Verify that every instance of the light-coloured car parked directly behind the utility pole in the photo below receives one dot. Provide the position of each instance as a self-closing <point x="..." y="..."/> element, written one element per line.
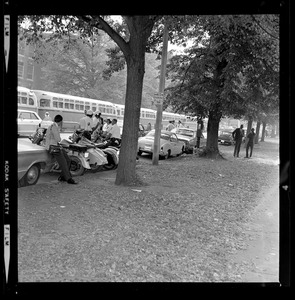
<point x="169" y="144"/>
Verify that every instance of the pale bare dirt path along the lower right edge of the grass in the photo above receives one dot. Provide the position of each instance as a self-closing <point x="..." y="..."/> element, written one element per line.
<point x="260" y="261"/>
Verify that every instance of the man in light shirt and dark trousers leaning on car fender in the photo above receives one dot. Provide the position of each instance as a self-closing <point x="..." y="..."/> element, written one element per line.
<point x="53" y="138"/>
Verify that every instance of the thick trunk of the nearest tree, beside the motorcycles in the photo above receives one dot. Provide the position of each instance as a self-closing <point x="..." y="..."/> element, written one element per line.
<point x="126" y="174"/>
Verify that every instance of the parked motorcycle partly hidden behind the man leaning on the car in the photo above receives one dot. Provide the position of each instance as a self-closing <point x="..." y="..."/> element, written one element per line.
<point x="75" y="152"/>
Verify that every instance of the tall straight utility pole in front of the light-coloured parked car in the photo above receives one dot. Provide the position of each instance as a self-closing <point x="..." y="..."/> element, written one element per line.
<point x="159" y="104"/>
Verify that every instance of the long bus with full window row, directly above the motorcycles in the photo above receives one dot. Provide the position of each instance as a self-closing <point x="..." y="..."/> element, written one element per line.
<point x="71" y="107"/>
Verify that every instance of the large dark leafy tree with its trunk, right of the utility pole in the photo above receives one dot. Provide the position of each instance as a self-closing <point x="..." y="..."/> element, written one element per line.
<point x="219" y="74"/>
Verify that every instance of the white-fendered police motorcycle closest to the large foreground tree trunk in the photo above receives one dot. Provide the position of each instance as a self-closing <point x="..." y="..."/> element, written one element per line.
<point x="96" y="150"/>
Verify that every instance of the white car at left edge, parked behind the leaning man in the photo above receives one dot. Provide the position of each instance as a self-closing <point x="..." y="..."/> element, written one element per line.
<point x="27" y="122"/>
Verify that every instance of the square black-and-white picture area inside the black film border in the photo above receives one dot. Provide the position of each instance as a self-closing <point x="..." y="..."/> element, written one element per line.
<point x="148" y="149"/>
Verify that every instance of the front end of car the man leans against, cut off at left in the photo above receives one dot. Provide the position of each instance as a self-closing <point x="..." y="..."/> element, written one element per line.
<point x="31" y="159"/>
